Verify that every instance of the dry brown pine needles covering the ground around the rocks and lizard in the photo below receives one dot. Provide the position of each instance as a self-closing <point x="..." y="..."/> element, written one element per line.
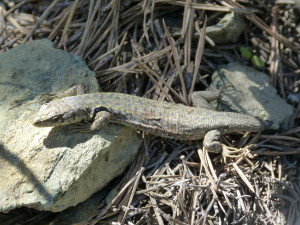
<point x="130" y="47"/>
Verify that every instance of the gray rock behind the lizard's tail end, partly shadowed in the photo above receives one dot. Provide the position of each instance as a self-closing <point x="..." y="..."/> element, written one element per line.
<point x="247" y="90"/>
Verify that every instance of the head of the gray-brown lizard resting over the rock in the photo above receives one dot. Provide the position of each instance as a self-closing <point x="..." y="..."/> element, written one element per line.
<point x="56" y="113"/>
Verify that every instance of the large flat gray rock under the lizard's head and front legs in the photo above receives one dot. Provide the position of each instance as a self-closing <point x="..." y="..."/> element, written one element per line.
<point x="52" y="168"/>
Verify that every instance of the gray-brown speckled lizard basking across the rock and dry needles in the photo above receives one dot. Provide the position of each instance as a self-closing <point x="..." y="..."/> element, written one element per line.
<point x="163" y="119"/>
